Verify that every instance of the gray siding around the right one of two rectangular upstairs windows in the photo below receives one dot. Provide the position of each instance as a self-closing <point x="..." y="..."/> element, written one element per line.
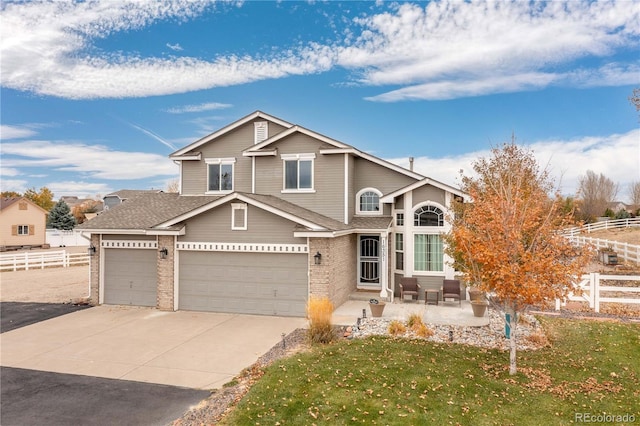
<point x="328" y="177"/>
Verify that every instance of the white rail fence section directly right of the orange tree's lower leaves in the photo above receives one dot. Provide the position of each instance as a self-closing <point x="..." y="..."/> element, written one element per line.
<point x="592" y="290"/>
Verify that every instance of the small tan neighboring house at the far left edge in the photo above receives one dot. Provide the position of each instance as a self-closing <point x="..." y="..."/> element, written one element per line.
<point x="23" y="223"/>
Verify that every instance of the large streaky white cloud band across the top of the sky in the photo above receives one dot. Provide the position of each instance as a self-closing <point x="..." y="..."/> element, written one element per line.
<point x="443" y="50"/>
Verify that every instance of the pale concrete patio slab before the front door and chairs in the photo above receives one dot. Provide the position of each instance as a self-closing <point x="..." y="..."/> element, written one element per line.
<point x="448" y="313"/>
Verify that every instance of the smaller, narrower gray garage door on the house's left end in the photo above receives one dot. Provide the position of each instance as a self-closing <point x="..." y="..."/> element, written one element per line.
<point x="130" y="277"/>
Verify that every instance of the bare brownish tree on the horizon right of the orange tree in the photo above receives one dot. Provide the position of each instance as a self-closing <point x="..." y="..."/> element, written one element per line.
<point x="596" y="192"/>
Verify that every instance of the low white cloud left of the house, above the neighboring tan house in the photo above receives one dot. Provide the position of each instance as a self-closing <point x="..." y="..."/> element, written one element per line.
<point x="91" y="161"/>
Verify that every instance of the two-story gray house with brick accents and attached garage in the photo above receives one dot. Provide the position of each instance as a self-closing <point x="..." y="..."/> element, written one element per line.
<point x="270" y="214"/>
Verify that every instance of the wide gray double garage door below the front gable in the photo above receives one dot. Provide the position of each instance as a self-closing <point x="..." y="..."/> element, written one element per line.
<point x="247" y="283"/>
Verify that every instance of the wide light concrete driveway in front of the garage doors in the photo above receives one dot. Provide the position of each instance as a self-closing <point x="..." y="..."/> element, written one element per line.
<point x="188" y="349"/>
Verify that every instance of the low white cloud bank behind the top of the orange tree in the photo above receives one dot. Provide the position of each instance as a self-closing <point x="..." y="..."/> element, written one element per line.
<point x="616" y="156"/>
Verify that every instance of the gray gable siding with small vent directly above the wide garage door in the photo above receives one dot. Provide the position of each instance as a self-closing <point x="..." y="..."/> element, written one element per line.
<point x="262" y="227"/>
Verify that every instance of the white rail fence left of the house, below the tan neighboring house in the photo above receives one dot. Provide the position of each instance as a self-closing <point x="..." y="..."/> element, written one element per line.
<point x="41" y="260"/>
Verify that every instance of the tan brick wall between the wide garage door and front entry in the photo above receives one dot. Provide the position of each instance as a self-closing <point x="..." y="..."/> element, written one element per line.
<point x="335" y="278"/>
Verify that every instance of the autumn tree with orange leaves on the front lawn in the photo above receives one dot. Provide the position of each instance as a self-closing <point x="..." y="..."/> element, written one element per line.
<point x="505" y="240"/>
